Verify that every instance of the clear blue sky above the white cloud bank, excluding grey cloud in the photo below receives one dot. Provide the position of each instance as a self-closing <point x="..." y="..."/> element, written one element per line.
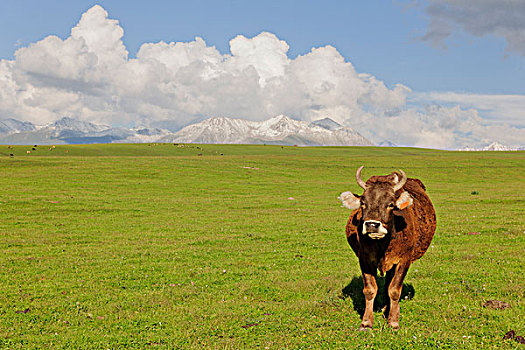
<point x="380" y="38"/>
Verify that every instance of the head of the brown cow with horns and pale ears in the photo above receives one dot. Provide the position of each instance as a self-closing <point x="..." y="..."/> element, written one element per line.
<point x="378" y="202"/>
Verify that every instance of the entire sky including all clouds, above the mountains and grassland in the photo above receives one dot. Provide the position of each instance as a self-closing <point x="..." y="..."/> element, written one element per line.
<point x="438" y="74"/>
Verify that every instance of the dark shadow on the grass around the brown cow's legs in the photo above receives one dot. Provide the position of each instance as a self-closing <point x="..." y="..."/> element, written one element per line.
<point x="354" y="290"/>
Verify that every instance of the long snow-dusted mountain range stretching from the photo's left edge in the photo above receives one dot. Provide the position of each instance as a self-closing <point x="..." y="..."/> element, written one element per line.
<point x="280" y="130"/>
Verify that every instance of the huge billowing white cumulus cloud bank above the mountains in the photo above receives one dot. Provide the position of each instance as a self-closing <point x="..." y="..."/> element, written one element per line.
<point x="90" y="76"/>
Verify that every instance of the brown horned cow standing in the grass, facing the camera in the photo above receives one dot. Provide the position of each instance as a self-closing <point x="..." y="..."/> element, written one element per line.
<point x="391" y="225"/>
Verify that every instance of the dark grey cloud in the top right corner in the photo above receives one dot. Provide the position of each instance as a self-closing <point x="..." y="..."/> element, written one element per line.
<point x="501" y="18"/>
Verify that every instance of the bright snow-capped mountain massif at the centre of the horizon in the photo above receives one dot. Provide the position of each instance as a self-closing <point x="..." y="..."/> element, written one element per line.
<point x="281" y="130"/>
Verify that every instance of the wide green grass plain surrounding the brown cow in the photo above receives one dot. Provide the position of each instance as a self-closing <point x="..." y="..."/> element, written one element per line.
<point x="153" y="246"/>
